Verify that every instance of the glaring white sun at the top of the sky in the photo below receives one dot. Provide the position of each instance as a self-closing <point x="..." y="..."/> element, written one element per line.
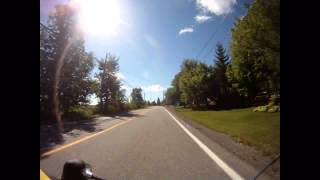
<point x="98" y="17"/>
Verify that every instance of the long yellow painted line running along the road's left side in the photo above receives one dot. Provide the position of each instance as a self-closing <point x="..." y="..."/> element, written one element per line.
<point x="83" y="139"/>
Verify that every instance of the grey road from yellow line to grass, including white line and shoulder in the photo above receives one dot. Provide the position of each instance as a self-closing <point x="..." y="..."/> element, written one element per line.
<point x="150" y="145"/>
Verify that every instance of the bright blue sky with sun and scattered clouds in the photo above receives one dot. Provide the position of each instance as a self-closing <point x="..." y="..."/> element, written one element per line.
<point x="152" y="38"/>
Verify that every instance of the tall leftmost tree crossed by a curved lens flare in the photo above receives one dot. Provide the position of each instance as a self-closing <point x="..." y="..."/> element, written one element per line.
<point x="64" y="64"/>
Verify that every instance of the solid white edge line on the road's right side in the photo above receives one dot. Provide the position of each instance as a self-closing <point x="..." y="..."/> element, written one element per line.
<point x="227" y="169"/>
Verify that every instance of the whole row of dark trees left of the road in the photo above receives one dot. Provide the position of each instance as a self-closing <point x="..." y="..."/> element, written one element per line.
<point x="66" y="71"/>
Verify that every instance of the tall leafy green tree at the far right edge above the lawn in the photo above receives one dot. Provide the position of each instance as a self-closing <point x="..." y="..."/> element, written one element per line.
<point x="255" y="49"/>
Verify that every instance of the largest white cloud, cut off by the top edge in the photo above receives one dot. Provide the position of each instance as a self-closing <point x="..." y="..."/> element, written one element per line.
<point x="217" y="7"/>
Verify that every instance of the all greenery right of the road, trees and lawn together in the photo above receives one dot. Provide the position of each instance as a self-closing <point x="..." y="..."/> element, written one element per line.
<point x="239" y="93"/>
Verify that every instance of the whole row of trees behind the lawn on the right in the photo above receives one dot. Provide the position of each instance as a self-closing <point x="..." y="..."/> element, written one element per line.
<point x="250" y="76"/>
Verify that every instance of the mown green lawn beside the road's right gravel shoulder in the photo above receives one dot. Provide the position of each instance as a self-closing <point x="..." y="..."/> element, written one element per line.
<point x="258" y="129"/>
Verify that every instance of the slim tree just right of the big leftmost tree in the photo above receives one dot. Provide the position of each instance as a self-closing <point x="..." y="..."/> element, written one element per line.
<point x="109" y="91"/>
